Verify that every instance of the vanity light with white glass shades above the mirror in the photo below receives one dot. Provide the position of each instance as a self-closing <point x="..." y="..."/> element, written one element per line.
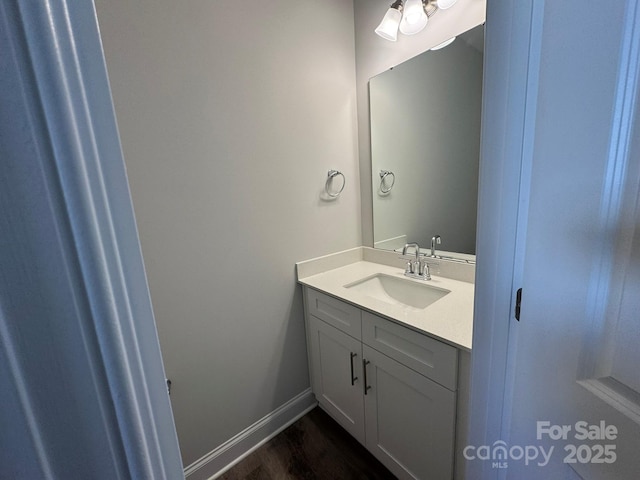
<point x="410" y="16"/>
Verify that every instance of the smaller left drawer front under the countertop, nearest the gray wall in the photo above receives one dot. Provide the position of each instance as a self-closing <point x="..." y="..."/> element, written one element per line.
<point x="341" y="315"/>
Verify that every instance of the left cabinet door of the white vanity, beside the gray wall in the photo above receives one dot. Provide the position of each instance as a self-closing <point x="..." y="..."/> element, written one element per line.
<point x="336" y="375"/>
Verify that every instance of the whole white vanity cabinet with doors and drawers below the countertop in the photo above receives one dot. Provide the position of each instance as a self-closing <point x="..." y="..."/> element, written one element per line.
<point x="392" y="388"/>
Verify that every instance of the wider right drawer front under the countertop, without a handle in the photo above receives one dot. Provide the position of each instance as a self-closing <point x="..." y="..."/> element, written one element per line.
<point x="425" y="355"/>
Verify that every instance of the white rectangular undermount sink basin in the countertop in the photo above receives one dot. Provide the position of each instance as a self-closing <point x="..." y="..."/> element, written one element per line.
<point x="398" y="290"/>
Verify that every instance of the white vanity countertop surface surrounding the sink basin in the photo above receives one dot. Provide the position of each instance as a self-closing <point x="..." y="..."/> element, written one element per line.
<point x="449" y="319"/>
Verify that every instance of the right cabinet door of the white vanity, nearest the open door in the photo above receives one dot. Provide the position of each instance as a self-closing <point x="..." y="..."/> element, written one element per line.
<point x="409" y="419"/>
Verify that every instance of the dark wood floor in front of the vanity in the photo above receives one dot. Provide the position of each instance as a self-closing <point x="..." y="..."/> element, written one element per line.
<point x="313" y="448"/>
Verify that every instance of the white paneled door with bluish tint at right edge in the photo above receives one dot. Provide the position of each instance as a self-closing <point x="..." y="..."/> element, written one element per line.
<point x="573" y="383"/>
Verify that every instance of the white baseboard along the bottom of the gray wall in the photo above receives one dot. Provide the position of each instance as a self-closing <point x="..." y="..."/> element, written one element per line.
<point x="219" y="460"/>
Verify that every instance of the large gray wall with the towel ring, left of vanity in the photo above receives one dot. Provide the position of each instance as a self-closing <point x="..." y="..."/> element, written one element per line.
<point x="230" y="115"/>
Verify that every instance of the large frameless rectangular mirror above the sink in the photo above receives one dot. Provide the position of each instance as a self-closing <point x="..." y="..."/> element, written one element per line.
<point x="425" y="128"/>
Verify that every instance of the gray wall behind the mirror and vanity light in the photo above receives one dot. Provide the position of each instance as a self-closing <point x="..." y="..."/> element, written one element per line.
<point x="375" y="55"/>
